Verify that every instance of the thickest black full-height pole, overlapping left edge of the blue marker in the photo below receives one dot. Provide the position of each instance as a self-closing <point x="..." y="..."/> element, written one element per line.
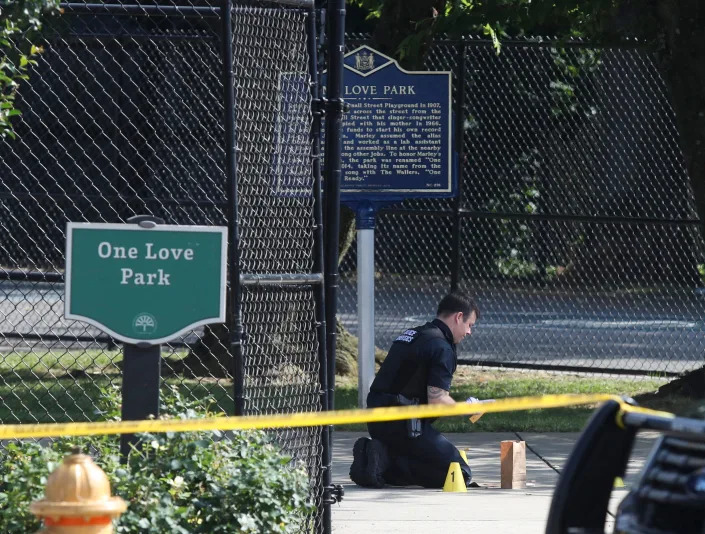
<point x="333" y="149"/>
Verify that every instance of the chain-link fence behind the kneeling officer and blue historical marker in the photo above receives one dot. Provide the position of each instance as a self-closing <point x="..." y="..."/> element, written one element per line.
<point x="575" y="224"/>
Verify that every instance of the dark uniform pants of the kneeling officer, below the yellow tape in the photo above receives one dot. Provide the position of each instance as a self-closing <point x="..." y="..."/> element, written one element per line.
<point x="422" y="461"/>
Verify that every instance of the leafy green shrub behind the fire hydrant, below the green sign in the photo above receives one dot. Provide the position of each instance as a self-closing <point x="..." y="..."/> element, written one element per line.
<point x="175" y="483"/>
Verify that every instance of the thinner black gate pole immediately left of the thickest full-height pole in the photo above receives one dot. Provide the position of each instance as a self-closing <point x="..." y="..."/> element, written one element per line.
<point x="317" y="110"/>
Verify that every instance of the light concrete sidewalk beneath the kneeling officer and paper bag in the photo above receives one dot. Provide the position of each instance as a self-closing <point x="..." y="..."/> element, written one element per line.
<point x="486" y="509"/>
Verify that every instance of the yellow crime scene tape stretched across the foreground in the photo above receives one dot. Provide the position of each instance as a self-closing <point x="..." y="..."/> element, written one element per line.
<point x="310" y="419"/>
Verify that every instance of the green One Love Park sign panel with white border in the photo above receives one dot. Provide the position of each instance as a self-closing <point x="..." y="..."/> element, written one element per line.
<point x="145" y="285"/>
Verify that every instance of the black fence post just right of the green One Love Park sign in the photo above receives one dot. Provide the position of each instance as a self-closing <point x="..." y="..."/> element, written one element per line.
<point x="235" y="294"/>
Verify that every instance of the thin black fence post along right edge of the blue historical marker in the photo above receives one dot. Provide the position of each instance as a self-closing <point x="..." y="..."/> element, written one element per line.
<point x="460" y="150"/>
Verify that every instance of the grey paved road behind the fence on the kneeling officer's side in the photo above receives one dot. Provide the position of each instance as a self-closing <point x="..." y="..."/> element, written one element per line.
<point x="655" y="331"/>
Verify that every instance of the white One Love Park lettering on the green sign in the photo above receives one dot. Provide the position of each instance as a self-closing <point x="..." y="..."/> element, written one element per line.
<point x="159" y="277"/>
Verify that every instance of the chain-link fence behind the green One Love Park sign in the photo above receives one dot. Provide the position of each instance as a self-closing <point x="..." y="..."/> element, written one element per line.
<point x="126" y="114"/>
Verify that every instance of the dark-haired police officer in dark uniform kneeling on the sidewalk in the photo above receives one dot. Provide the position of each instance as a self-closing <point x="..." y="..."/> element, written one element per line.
<point x="418" y="370"/>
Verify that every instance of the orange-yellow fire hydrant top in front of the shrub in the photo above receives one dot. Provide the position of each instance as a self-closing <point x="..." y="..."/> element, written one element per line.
<point x="77" y="499"/>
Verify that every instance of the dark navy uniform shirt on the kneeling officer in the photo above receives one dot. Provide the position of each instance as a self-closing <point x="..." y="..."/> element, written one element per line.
<point x="419" y="357"/>
